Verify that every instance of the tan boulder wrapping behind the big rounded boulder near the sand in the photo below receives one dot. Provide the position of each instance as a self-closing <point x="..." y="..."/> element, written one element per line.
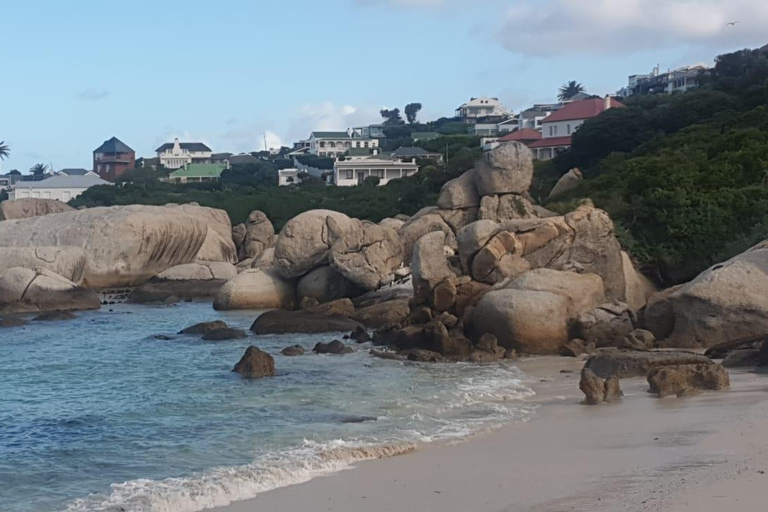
<point x="583" y="292"/>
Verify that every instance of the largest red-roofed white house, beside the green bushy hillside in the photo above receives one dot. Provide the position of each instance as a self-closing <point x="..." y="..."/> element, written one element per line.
<point x="558" y="128"/>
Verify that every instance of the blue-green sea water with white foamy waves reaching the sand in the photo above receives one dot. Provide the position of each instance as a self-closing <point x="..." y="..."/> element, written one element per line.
<point x="96" y="414"/>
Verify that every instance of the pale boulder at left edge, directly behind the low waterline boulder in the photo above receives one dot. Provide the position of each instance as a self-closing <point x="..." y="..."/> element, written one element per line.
<point x="68" y="262"/>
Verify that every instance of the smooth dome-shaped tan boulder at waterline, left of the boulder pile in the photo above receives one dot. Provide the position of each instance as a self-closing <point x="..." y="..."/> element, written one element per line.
<point x="256" y="289"/>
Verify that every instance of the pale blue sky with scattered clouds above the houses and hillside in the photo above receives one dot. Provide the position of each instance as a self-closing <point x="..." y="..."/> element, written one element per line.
<point x="73" y="74"/>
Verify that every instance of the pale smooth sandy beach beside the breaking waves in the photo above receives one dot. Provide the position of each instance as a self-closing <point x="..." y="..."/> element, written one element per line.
<point x="704" y="453"/>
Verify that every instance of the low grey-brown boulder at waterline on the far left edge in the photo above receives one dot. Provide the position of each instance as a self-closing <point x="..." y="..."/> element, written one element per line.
<point x="24" y="290"/>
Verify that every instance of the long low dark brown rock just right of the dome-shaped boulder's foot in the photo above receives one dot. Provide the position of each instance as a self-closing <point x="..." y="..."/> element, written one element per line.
<point x="283" y="322"/>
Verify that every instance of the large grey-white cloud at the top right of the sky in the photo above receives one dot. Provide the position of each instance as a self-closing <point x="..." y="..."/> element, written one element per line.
<point x="554" y="27"/>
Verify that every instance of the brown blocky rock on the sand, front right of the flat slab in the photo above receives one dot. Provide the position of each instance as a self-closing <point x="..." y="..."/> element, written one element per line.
<point x="687" y="379"/>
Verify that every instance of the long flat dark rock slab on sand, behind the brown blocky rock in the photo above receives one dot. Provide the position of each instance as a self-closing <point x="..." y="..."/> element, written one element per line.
<point x="623" y="363"/>
